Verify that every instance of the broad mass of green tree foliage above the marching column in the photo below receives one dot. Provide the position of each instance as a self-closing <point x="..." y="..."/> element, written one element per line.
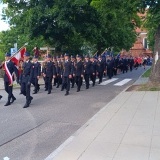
<point x="76" y="24"/>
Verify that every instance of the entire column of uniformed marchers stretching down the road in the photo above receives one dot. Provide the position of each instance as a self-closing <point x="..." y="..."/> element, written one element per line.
<point x="65" y="70"/>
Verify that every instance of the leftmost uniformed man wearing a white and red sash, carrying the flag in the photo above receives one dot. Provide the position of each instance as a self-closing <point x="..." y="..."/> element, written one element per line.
<point x="10" y="68"/>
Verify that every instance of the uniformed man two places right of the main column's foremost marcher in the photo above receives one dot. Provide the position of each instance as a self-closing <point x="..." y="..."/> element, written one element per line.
<point x="87" y="70"/>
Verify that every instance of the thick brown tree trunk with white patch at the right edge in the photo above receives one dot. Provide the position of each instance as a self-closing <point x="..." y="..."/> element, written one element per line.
<point x="155" y="72"/>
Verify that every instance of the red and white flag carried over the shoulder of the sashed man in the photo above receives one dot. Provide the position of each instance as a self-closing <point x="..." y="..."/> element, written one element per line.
<point x="18" y="56"/>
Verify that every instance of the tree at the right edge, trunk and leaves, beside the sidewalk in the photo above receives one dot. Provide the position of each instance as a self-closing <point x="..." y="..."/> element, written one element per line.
<point x="153" y="25"/>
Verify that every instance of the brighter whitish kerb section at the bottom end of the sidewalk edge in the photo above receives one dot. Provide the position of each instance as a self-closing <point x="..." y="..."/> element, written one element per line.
<point x="60" y="148"/>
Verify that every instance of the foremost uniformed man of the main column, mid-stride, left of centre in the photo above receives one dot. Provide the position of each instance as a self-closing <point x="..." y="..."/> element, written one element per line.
<point x="66" y="74"/>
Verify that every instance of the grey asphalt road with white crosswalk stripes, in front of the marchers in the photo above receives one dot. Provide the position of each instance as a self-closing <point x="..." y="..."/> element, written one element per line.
<point x="35" y="132"/>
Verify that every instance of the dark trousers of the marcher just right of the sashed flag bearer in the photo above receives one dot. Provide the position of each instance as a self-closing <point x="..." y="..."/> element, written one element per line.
<point x="26" y="89"/>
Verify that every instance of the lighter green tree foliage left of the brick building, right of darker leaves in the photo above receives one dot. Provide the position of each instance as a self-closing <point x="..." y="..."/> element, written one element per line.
<point x="119" y="19"/>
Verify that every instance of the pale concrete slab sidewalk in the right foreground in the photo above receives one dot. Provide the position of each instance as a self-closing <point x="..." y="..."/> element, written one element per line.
<point x="128" y="128"/>
